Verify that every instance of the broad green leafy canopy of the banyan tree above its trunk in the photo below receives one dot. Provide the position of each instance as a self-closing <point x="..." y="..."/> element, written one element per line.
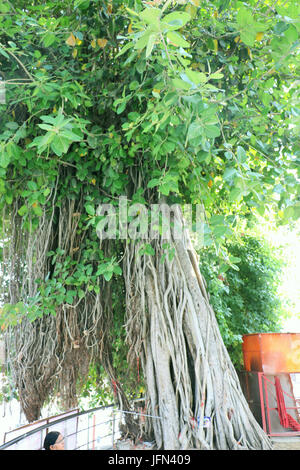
<point x="207" y="114"/>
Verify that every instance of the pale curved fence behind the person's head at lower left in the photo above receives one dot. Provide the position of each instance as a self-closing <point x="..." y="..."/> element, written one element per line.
<point x="94" y="429"/>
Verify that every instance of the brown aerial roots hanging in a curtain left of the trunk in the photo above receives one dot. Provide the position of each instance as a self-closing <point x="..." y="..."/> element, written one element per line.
<point x="52" y="352"/>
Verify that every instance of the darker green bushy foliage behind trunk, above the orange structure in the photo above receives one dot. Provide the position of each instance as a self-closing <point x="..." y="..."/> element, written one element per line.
<point x="246" y="300"/>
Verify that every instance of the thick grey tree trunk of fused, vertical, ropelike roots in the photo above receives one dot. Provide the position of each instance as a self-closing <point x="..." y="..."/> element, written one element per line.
<point x="193" y="388"/>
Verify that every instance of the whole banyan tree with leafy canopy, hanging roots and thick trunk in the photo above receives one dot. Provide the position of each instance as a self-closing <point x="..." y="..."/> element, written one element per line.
<point x="165" y="106"/>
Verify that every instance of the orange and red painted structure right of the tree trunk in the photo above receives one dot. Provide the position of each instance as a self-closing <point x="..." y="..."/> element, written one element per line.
<point x="269" y="361"/>
